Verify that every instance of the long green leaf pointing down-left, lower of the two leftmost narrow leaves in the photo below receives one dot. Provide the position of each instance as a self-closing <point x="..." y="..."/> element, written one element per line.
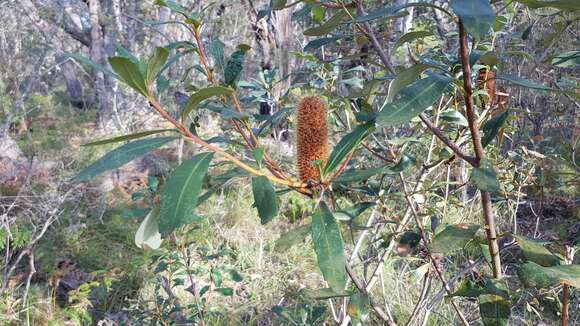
<point x="121" y="156"/>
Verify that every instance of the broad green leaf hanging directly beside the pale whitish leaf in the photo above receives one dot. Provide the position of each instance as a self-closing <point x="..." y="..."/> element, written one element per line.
<point x="180" y="193"/>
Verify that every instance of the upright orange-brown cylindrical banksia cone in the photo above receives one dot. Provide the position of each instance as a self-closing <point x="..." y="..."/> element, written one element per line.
<point x="312" y="131"/>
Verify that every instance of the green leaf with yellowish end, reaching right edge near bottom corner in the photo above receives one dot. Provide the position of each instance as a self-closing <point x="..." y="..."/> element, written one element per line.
<point x="536" y="276"/>
